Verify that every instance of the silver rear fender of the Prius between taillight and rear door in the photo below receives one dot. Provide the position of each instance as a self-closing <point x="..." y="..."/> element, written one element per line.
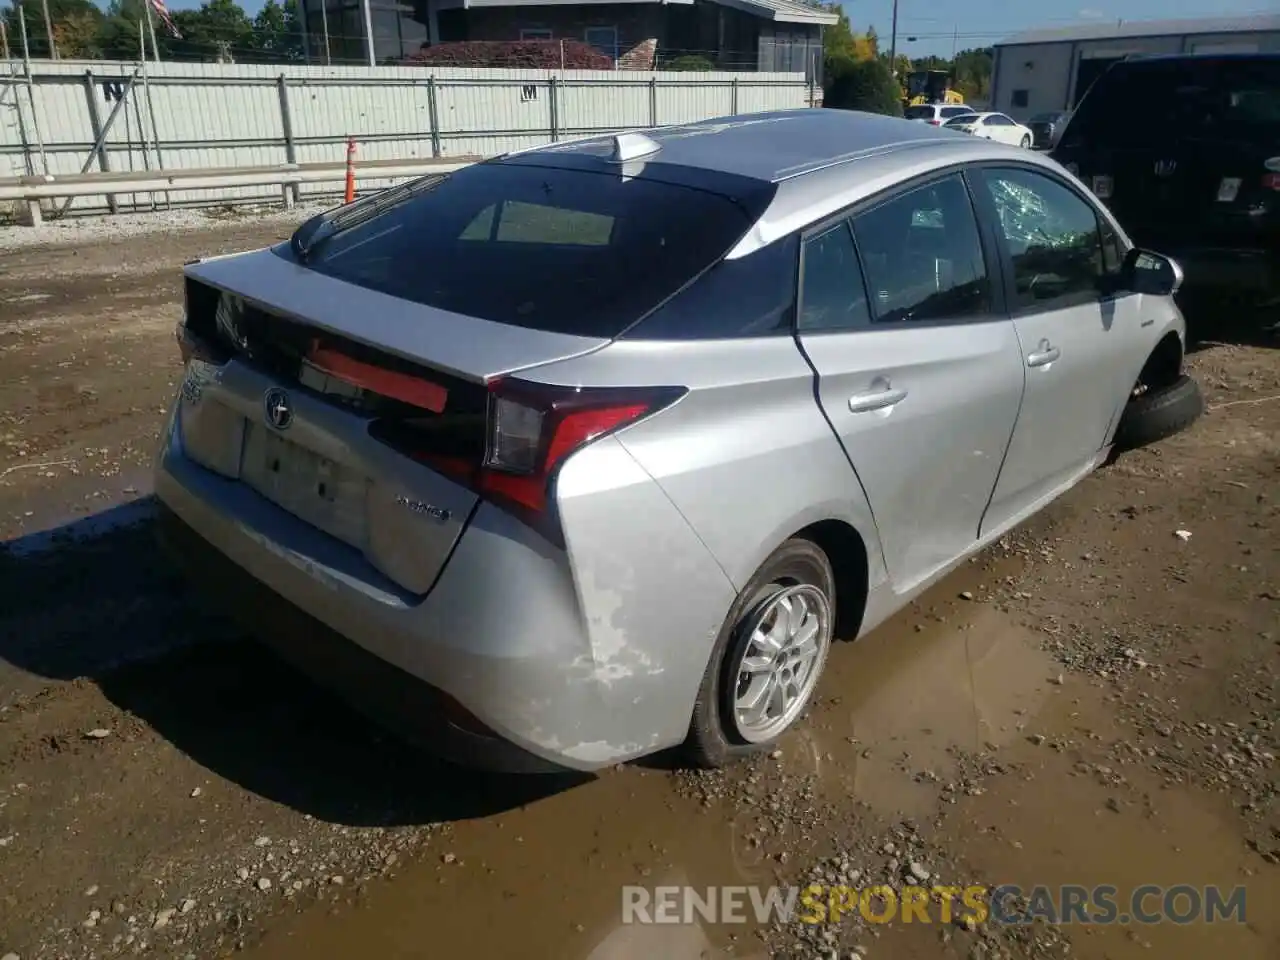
<point x="747" y="456"/>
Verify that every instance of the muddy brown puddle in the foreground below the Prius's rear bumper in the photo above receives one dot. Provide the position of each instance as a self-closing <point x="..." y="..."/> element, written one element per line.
<point x="545" y="881"/>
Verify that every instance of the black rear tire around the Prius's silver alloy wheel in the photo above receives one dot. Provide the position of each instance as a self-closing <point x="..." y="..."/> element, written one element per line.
<point x="714" y="739"/>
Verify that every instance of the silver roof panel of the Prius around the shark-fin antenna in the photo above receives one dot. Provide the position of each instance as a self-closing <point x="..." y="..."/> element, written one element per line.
<point x="771" y="147"/>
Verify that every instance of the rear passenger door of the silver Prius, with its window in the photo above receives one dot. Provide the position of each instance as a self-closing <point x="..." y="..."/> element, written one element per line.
<point x="920" y="372"/>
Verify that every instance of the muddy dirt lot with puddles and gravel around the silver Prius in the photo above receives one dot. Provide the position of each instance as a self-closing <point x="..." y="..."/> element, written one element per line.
<point x="1092" y="702"/>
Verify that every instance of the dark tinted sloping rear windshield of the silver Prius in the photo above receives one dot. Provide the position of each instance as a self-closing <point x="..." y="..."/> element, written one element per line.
<point x="566" y="252"/>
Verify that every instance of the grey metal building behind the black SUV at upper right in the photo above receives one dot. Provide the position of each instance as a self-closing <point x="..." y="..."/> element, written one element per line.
<point x="1052" y="70"/>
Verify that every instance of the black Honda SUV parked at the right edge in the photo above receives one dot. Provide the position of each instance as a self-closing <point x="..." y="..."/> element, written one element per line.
<point x="1186" y="152"/>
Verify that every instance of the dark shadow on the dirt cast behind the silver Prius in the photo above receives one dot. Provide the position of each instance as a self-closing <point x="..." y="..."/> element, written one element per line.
<point x="98" y="600"/>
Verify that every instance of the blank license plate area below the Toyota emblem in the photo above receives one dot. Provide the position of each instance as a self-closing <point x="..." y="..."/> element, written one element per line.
<point x="327" y="495"/>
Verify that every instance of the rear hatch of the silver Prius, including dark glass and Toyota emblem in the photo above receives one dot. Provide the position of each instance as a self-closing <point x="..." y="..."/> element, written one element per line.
<point x="350" y="382"/>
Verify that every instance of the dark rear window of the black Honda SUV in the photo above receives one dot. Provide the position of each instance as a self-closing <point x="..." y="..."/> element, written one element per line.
<point x="1219" y="100"/>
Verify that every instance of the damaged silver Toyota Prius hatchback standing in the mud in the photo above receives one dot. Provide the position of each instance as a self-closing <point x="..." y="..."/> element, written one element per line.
<point x="593" y="450"/>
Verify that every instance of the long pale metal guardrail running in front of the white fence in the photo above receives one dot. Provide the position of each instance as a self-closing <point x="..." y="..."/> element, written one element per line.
<point x="33" y="190"/>
